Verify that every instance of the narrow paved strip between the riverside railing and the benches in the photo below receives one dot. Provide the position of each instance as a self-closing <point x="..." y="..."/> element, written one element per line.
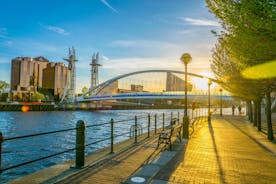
<point x="118" y="168"/>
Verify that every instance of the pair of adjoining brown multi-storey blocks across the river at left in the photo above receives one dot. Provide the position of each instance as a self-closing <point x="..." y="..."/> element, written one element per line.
<point x="27" y="77"/>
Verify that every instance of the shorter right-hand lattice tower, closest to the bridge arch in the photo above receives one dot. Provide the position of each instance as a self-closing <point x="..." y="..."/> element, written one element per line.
<point x="94" y="70"/>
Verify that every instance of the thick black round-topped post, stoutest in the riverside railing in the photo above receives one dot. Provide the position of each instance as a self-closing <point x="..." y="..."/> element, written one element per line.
<point x="80" y="144"/>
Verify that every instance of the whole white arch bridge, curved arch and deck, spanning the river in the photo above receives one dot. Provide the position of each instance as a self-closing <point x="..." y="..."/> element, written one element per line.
<point x="94" y="94"/>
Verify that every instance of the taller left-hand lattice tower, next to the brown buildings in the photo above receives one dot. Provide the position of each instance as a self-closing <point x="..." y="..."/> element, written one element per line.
<point x="69" y="93"/>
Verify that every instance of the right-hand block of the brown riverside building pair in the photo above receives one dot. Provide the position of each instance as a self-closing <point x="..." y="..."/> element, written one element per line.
<point x="54" y="78"/>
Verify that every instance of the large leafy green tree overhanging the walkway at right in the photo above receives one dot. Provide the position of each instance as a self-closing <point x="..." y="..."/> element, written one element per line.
<point x="248" y="38"/>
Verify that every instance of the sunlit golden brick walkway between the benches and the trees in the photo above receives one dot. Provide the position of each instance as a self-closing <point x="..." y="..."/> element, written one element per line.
<point x="225" y="151"/>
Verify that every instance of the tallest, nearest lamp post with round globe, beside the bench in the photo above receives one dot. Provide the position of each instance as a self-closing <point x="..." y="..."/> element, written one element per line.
<point x="186" y="59"/>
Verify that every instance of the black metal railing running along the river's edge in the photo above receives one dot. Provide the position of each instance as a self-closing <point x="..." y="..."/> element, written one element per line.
<point x="162" y="119"/>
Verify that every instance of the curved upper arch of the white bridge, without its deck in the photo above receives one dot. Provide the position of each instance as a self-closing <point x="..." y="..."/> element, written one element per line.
<point x="97" y="89"/>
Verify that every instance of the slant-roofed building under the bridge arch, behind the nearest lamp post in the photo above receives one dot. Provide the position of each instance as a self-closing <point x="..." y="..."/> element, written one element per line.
<point x="175" y="83"/>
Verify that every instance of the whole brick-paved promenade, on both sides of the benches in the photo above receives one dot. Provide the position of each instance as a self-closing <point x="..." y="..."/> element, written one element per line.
<point x="228" y="150"/>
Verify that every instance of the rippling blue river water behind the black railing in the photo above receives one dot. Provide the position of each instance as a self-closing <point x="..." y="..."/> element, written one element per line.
<point x="21" y="150"/>
